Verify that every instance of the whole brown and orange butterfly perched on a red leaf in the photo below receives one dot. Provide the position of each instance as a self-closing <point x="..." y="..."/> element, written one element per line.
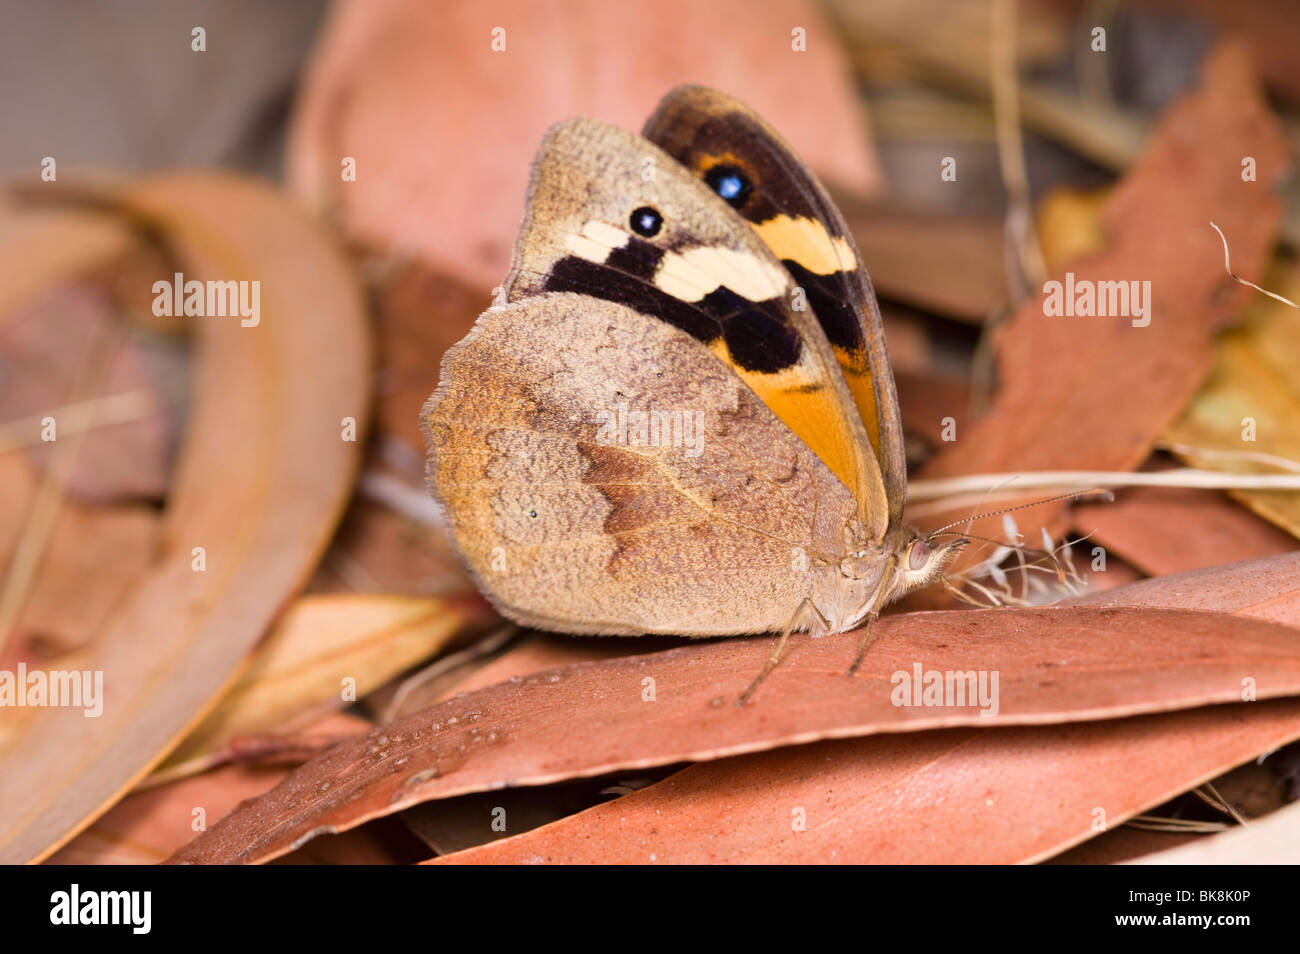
<point x="682" y="418"/>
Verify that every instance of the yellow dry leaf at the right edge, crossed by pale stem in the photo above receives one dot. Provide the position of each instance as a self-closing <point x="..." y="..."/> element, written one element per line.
<point x="1253" y="402"/>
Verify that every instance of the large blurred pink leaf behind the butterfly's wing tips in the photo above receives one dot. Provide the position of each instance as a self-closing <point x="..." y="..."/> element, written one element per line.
<point x="378" y="92"/>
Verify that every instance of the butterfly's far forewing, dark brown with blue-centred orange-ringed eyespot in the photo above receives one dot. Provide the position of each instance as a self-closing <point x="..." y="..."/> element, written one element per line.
<point x="747" y="163"/>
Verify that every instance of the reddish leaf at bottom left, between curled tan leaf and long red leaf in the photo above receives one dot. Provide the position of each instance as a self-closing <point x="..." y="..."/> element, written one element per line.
<point x="149" y="826"/>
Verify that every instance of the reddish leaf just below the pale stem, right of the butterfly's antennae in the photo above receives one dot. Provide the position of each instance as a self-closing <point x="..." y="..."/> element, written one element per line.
<point x="1172" y="530"/>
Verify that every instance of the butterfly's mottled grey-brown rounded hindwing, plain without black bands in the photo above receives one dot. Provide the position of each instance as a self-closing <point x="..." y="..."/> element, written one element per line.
<point x="567" y="524"/>
